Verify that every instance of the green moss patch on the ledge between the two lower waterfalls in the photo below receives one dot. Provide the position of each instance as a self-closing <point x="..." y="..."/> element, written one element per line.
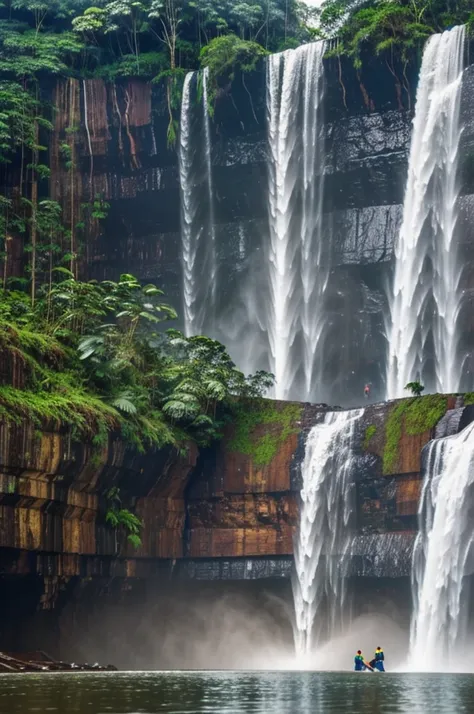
<point x="416" y="416"/>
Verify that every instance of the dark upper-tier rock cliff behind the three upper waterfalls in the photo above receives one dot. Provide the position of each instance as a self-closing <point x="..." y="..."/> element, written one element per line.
<point x="120" y="147"/>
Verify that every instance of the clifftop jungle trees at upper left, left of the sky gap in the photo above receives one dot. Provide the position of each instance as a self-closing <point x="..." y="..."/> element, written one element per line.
<point x="157" y="39"/>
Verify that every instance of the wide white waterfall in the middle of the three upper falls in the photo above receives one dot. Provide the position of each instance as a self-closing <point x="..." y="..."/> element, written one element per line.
<point x="296" y="278"/>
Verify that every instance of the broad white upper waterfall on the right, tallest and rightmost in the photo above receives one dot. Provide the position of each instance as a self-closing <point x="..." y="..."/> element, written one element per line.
<point x="425" y="297"/>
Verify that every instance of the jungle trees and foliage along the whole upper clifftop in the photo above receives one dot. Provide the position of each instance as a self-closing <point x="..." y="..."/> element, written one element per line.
<point x="162" y="39"/>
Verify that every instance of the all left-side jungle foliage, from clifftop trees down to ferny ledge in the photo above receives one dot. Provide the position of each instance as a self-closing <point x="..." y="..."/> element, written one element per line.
<point x="96" y="357"/>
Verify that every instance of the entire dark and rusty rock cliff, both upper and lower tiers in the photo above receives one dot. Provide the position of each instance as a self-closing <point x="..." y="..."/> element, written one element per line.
<point x="227" y="513"/>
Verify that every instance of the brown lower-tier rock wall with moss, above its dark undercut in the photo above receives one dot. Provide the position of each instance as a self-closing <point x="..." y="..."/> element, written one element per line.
<point x="229" y="506"/>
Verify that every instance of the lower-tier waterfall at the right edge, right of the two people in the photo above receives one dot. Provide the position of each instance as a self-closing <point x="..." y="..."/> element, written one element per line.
<point x="444" y="555"/>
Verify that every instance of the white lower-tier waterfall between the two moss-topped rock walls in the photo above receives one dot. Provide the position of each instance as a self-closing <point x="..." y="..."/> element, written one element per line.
<point x="323" y="544"/>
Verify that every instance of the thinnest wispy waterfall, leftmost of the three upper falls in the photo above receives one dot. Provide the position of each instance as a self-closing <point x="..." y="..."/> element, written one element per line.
<point x="198" y="238"/>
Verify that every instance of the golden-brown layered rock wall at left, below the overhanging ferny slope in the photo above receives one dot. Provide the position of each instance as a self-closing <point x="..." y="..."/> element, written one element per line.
<point x="52" y="495"/>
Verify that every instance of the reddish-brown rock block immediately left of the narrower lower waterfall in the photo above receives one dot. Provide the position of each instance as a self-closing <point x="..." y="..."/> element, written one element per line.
<point x="239" y="507"/>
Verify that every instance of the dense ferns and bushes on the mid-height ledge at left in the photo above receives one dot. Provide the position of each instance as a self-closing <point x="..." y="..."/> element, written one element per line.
<point x="94" y="356"/>
